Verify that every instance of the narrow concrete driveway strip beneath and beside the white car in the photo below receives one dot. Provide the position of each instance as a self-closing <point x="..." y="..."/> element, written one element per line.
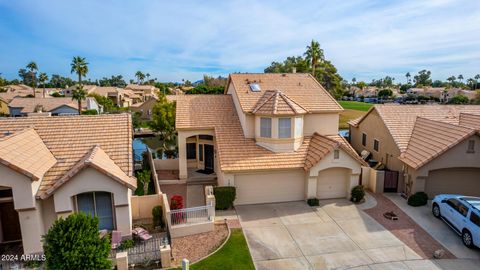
<point x="436" y="228"/>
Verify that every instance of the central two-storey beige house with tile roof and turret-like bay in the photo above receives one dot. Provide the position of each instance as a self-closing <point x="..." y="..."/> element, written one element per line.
<point x="272" y="136"/>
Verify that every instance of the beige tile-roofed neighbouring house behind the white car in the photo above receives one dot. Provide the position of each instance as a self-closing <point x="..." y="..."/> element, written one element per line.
<point x="426" y="146"/>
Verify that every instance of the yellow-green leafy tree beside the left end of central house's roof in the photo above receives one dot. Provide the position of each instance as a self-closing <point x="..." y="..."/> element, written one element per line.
<point x="163" y="116"/>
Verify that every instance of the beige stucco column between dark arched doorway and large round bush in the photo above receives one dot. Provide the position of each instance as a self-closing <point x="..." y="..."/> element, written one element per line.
<point x="32" y="230"/>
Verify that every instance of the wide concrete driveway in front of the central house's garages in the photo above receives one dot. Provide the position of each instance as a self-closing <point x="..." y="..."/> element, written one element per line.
<point x="336" y="235"/>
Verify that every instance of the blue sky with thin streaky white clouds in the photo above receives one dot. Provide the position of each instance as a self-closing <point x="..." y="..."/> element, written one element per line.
<point x="173" y="40"/>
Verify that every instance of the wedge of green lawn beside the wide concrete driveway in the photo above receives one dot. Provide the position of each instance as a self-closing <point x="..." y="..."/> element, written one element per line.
<point x="233" y="255"/>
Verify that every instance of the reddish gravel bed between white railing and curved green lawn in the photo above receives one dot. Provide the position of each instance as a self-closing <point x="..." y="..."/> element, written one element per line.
<point x="195" y="247"/>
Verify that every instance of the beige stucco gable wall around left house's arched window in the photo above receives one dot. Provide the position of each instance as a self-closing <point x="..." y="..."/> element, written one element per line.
<point x="90" y="180"/>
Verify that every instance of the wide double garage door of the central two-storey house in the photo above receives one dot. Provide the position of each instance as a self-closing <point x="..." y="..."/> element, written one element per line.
<point x="272" y="187"/>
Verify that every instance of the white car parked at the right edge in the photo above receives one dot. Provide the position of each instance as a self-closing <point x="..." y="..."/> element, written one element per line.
<point x="462" y="213"/>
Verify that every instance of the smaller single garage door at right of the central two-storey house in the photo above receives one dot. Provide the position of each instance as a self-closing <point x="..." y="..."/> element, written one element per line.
<point x="333" y="183"/>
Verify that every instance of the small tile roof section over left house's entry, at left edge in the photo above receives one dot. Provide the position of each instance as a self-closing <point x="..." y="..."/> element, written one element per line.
<point x="25" y="152"/>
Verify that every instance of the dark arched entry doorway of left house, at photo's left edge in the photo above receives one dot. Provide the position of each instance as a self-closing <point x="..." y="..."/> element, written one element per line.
<point x="10" y="224"/>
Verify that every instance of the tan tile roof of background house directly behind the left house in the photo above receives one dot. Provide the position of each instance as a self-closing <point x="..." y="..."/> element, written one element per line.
<point x="48" y="104"/>
